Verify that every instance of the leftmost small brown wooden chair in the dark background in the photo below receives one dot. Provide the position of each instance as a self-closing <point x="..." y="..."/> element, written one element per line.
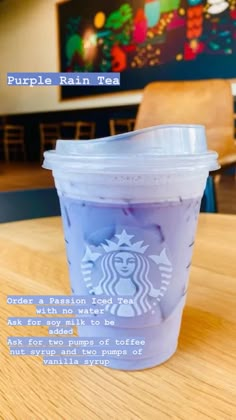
<point x="13" y="139"/>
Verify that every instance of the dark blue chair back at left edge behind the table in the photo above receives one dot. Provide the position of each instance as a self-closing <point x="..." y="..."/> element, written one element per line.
<point x="28" y="204"/>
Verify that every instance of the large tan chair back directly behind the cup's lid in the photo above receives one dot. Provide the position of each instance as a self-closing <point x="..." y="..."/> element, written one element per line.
<point x="205" y="102"/>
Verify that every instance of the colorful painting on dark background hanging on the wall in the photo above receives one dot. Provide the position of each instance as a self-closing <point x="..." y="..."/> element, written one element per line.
<point x="147" y="40"/>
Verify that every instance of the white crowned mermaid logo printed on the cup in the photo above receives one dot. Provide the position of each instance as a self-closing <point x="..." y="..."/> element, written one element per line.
<point x="124" y="271"/>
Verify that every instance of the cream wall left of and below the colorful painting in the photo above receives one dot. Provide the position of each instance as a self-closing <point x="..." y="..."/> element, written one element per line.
<point x="28" y="43"/>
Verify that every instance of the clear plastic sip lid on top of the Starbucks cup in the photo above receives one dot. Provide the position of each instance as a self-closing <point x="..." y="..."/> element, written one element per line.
<point x="151" y="149"/>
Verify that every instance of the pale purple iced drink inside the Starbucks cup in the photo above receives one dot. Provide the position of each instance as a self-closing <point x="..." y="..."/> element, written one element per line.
<point x="138" y="251"/>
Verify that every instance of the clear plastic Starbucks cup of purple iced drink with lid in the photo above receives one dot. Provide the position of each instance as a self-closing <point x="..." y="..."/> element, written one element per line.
<point x="130" y="206"/>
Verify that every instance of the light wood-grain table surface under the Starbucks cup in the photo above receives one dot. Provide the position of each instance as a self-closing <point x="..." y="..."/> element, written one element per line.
<point x="198" y="382"/>
